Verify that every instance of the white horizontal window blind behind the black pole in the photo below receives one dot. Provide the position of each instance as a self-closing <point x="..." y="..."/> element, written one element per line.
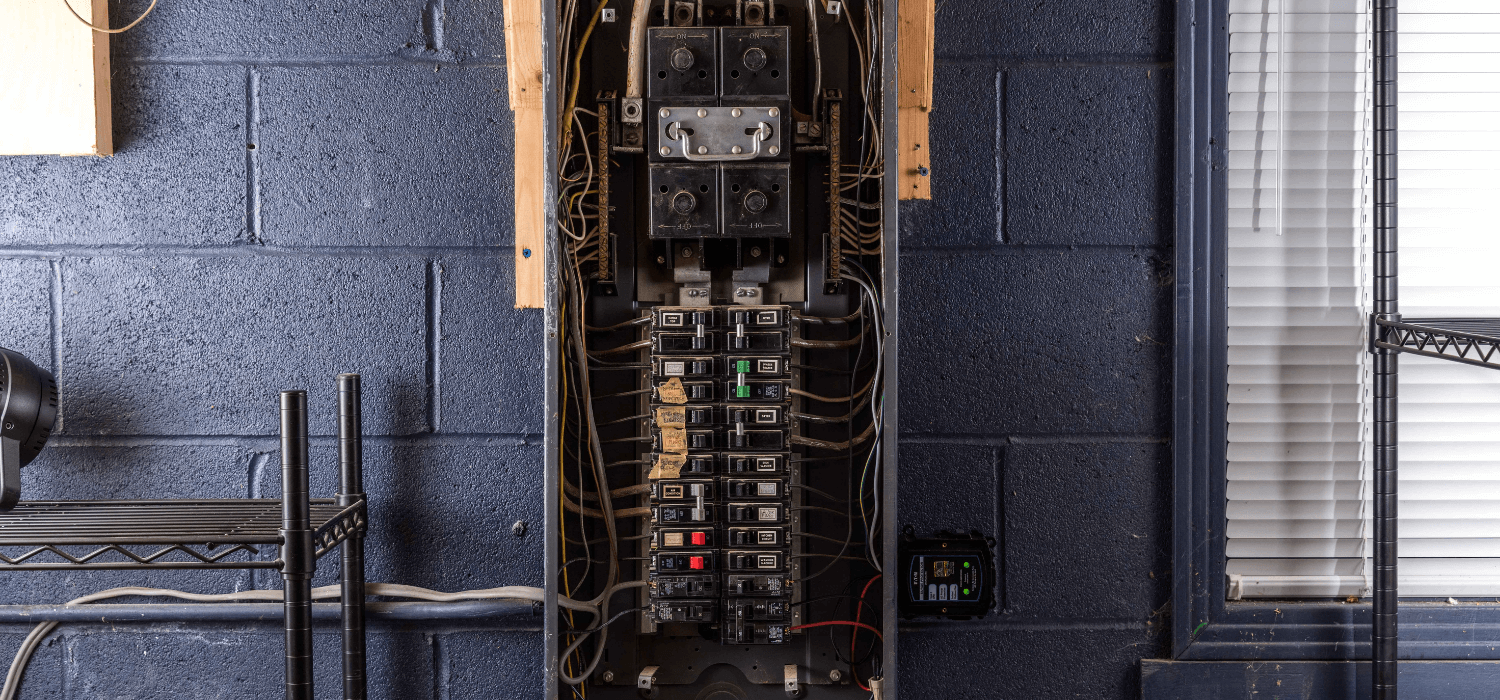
<point x="1298" y="250"/>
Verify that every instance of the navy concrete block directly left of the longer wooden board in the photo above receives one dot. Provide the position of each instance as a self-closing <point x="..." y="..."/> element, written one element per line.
<point x="413" y="155"/>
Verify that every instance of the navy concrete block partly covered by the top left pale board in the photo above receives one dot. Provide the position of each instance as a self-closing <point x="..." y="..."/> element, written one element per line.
<point x="178" y="176"/>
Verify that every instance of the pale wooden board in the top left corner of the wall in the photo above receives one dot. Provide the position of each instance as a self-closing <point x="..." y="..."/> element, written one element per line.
<point x="55" y="80"/>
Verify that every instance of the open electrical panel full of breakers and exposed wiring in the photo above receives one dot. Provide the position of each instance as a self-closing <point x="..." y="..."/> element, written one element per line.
<point x="724" y="215"/>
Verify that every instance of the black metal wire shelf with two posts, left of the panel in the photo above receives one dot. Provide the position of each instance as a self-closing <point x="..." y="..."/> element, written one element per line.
<point x="224" y="534"/>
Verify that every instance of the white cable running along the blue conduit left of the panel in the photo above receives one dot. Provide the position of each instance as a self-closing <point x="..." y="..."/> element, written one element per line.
<point x="32" y="642"/>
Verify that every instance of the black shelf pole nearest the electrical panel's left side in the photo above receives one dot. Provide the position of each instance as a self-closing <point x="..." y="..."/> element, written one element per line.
<point x="352" y="491"/>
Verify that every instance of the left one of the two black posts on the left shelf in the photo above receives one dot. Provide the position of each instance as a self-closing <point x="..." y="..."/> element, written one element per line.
<point x="296" y="531"/>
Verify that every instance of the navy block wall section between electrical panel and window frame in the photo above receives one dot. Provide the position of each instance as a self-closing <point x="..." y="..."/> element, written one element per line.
<point x="1036" y="310"/>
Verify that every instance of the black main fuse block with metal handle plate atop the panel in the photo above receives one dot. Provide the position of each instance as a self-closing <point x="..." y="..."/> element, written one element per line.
<point x="718" y="101"/>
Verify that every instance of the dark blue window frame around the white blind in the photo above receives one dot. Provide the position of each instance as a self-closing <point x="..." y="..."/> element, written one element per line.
<point x="1205" y="626"/>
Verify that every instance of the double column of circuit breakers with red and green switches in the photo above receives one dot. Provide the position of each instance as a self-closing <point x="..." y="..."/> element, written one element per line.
<point x="721" y="504"/>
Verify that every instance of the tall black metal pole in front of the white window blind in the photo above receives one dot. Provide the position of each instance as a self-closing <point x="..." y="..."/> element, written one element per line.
<point x="1384" y="638"/>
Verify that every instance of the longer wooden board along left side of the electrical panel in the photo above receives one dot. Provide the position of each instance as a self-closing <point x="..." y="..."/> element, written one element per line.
<point x="524" y="68"/>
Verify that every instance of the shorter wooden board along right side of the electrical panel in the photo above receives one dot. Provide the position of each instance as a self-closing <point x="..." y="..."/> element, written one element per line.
<point x="914" y="76"/>
